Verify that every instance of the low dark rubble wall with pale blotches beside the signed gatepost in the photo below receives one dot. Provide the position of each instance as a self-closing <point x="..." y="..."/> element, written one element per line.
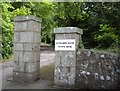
<point x="96" y="70"/>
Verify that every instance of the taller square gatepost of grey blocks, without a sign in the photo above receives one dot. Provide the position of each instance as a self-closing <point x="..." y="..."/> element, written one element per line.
<point x="26" y="48"/>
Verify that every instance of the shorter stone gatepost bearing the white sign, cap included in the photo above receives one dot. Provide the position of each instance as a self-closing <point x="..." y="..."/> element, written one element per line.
<point x="66" y="45"/>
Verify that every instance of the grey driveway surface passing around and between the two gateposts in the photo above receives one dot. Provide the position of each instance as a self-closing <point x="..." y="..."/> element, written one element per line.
<point x="6" y="71"/>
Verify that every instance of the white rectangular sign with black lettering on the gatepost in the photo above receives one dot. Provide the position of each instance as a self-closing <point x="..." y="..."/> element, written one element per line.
<point x="65" y="44"/>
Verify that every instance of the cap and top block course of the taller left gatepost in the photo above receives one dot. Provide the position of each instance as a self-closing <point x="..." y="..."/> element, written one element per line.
<point x="28" y="23"/>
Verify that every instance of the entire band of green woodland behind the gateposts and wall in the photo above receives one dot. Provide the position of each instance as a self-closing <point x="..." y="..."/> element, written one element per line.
<point x="100" y="22"/>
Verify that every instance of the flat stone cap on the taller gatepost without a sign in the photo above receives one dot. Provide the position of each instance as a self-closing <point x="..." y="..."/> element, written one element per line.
<point x="27" y="18"/>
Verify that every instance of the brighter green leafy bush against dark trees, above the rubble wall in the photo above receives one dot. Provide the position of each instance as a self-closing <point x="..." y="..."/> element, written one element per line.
<point x="107" y="37"/>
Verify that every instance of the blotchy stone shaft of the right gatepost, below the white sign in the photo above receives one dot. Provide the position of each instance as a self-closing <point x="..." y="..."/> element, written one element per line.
<point x="65" y="69"/>
